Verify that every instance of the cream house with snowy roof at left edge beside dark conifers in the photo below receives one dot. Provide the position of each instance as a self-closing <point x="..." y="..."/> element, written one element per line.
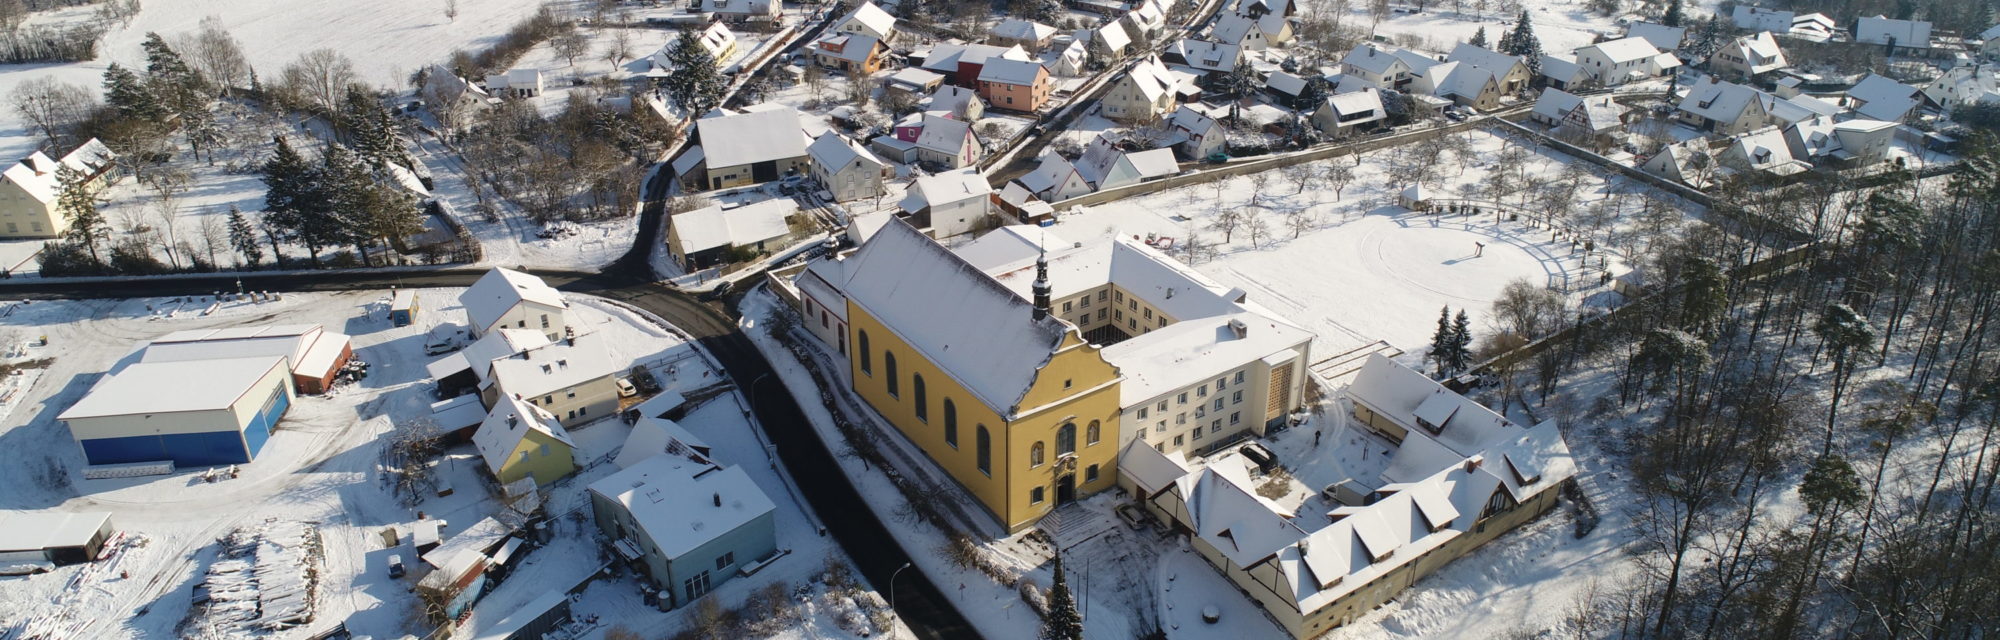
<point x="29" y="189"/>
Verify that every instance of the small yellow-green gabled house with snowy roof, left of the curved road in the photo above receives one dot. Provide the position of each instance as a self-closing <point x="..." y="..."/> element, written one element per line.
<point x="523" y="441"/>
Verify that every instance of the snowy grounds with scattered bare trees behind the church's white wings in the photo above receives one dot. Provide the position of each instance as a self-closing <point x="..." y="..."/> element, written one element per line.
<point x="1367" y="269"/>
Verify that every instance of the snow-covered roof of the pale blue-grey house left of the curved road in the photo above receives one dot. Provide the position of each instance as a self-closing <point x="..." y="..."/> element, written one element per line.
<point x="681" y="505"/>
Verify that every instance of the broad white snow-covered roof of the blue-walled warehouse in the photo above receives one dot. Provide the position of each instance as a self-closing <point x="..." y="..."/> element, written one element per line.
<point x="173" y="387"/>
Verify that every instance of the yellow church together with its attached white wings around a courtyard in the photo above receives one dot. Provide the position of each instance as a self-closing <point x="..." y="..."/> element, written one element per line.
<point x="1025" y="373"/>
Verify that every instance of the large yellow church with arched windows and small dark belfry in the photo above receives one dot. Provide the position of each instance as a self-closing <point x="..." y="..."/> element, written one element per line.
<point x="1011" y="401"/>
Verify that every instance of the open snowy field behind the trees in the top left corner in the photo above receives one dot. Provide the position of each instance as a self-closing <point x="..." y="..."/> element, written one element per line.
<point x="387" y="41"/>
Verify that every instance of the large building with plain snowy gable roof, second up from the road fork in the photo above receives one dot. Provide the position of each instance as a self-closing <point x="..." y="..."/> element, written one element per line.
<point x="751" y="149"/>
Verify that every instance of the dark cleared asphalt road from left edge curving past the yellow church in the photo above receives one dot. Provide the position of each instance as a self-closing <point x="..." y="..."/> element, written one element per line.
<point x="819" y="475"/>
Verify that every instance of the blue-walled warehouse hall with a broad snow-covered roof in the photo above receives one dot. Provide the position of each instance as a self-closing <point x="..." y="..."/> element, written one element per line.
<point x="191" y="413"/>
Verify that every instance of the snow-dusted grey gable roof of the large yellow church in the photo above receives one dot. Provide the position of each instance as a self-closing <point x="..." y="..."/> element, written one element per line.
<point x="961" y="319"/>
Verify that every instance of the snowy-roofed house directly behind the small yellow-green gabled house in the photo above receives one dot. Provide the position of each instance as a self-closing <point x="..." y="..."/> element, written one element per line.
<point x="573" y="381"/>
